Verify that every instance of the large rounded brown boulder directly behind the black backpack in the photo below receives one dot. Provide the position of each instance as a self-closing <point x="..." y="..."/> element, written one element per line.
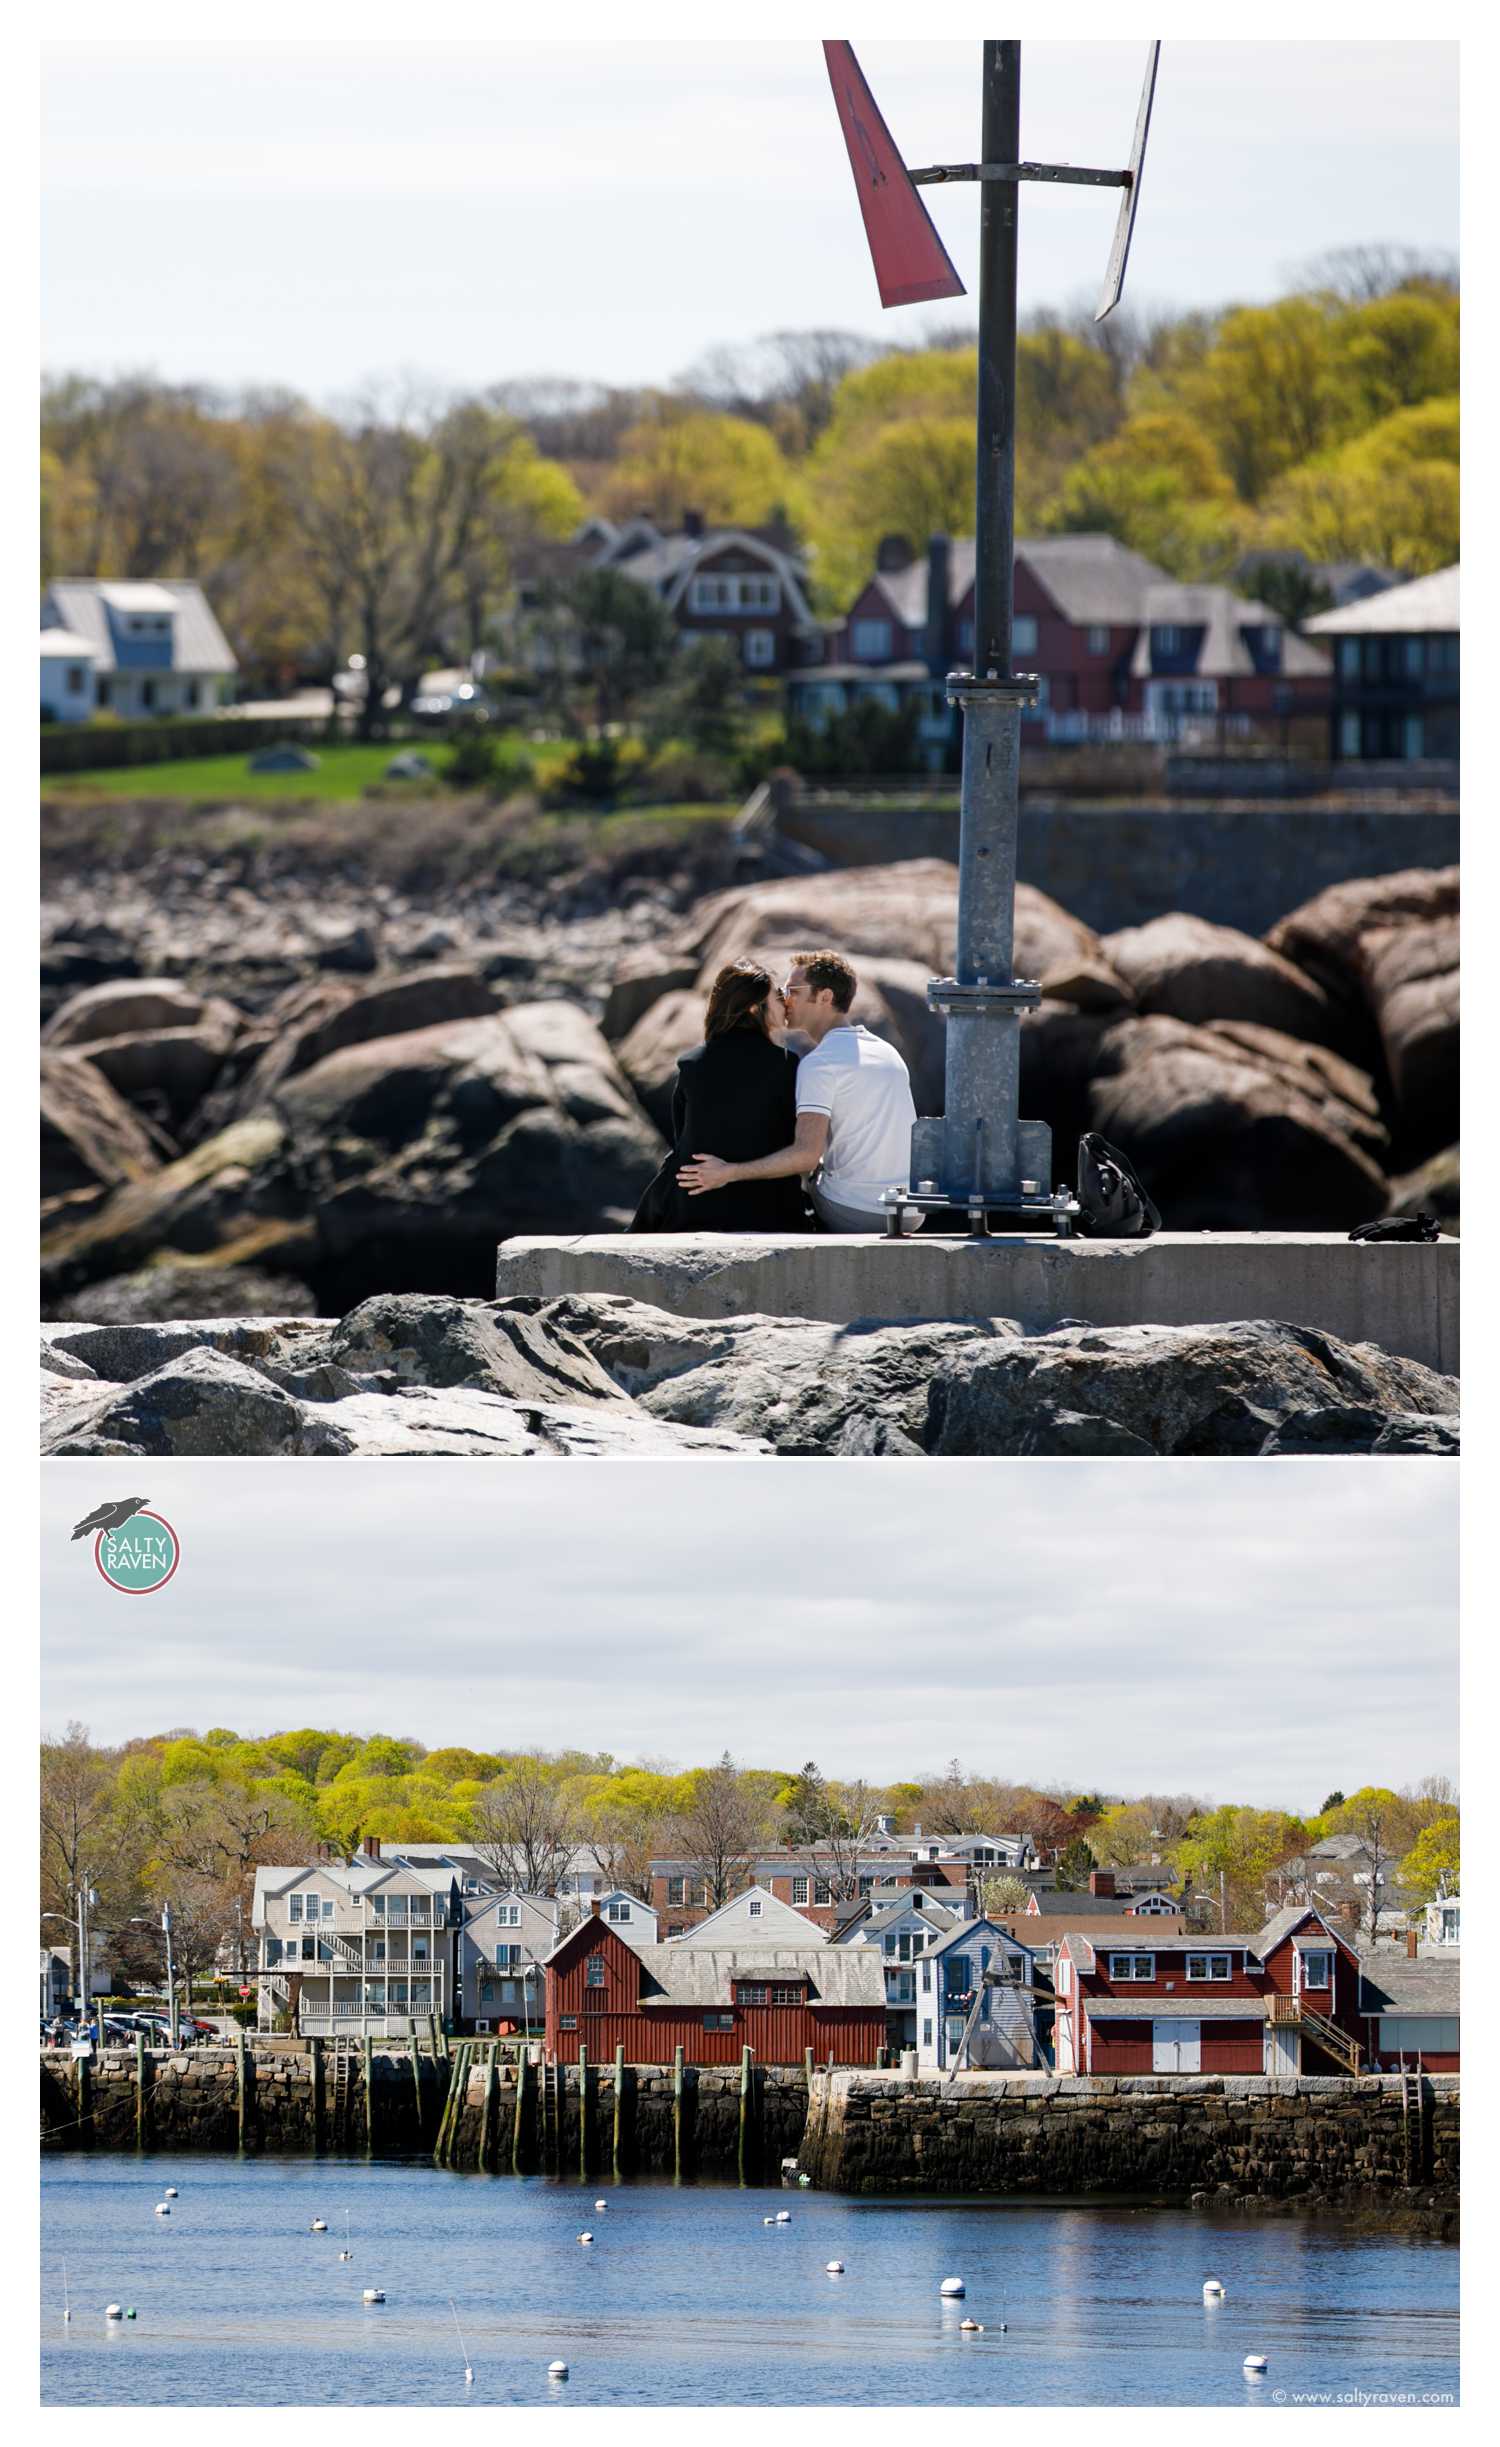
<point x="1239" y="1129"/>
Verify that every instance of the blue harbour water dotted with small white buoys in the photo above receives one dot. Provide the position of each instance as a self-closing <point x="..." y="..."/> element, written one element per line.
<point x="686" y="2299"/>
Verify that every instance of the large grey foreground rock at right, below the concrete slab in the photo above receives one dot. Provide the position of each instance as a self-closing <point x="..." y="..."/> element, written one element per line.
<point x="1176" y="1389"/>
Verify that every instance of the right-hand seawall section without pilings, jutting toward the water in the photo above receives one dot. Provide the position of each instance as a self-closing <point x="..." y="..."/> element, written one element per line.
<point x="1242" y="2140"/>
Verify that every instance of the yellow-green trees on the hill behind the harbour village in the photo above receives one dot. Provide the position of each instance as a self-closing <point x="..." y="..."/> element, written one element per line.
<point x="187" y="1819"/>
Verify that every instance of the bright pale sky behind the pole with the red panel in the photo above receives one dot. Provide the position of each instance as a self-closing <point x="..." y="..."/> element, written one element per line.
<point x="319" y="212"/>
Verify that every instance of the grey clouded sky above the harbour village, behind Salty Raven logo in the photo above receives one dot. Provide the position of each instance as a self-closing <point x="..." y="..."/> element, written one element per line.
<point x="1247" y="1631"/>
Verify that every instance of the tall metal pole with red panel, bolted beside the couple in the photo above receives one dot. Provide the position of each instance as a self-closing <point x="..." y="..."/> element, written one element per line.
<point x="978" y="1159"/>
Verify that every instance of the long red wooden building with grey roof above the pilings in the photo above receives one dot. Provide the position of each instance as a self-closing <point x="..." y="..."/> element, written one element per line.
<point x="711" y="2003"/>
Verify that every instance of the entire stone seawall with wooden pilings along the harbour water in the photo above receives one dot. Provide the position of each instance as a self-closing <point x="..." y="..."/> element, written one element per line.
<point x="1230" y="2140"/>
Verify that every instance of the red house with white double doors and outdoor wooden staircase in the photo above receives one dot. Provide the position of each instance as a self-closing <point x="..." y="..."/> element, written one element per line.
<point x="1283" y="2000"/>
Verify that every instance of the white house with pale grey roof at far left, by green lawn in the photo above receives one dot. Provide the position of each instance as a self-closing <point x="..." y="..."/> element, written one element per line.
<point x="133" y="650"/>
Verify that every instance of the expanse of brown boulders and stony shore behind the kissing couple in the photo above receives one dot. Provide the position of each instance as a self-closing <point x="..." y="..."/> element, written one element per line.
<point x="273" y="1093"/>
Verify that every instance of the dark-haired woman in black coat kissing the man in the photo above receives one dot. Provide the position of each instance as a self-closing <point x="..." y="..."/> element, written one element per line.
<point x="735" y="1095"/>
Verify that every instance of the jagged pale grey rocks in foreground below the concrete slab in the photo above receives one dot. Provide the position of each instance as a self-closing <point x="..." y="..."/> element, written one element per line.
<point x="608" y="1376"/>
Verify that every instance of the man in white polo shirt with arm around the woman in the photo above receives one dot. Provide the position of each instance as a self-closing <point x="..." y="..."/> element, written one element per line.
<point x="855" y="1110"/>
